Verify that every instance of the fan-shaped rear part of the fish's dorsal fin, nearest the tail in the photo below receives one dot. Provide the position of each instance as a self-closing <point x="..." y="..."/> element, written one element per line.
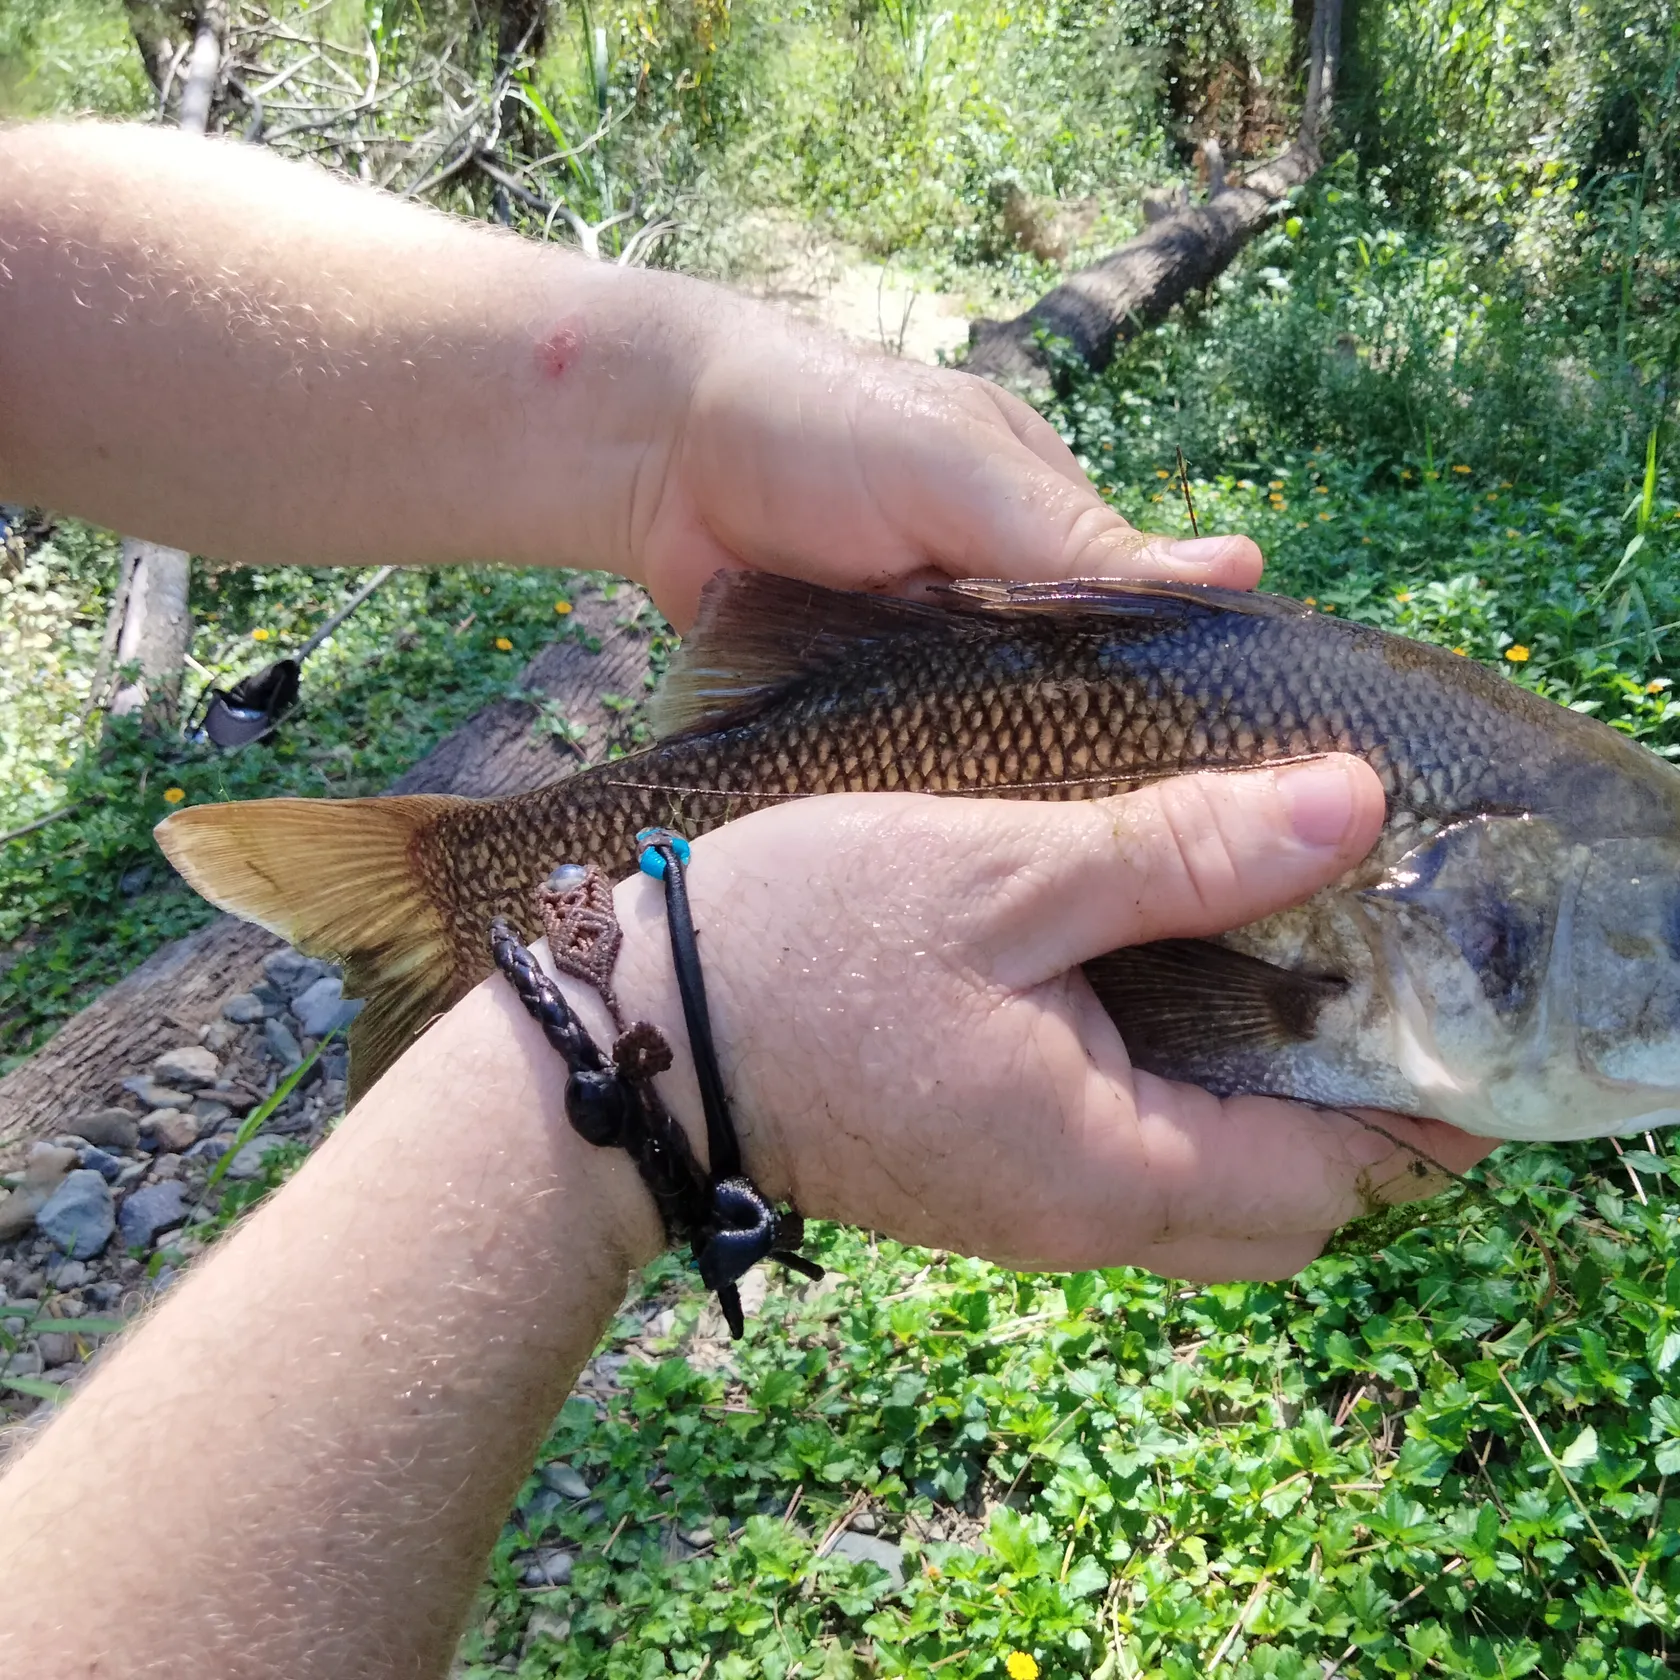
<point x="757" y="633"/>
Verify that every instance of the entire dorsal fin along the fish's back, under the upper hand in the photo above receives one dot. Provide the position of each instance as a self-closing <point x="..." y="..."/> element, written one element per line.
<point x="759" y="633"/>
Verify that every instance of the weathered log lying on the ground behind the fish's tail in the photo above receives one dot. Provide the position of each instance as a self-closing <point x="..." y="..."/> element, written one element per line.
<point x="182" y="987"/>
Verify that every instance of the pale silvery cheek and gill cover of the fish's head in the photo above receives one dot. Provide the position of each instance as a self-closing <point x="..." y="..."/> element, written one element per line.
<point x="1535" y="979"/>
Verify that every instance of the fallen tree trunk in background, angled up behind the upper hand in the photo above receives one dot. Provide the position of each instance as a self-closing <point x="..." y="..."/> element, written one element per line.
<point x="1137" y="286"/>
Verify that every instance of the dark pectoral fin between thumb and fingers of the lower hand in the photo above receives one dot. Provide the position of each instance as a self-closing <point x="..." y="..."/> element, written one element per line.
<point x="1179" y="1000"/>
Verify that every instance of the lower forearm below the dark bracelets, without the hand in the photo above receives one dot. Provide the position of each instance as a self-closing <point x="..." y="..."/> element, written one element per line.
<point x="302" y="1461"/>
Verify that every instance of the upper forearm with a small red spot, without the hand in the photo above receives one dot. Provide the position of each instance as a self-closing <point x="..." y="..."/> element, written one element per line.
<point x="207" y="347"/>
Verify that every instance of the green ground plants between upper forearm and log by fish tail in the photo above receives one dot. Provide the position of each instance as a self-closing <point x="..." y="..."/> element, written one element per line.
<point x="87" y="898"/>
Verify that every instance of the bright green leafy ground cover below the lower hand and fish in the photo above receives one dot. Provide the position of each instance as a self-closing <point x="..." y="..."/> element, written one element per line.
<point x="1449" y="1459"/>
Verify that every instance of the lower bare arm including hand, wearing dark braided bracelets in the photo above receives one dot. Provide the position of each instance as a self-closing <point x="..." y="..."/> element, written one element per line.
<point x="323" y="1425"/>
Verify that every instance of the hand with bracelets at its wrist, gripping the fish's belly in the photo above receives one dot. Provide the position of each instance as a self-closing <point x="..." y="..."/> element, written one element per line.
<point x="910" y="1042"/>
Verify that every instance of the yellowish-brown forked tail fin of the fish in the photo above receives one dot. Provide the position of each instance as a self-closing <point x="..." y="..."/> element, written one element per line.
<point x="340" y="879"/>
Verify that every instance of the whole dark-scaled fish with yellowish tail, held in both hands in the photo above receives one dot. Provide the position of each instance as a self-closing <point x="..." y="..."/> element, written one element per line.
<point x="1506" y="958"/>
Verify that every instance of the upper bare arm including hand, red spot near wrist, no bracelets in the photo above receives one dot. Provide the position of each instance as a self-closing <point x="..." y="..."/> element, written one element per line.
<point x="243" y="357"/>
